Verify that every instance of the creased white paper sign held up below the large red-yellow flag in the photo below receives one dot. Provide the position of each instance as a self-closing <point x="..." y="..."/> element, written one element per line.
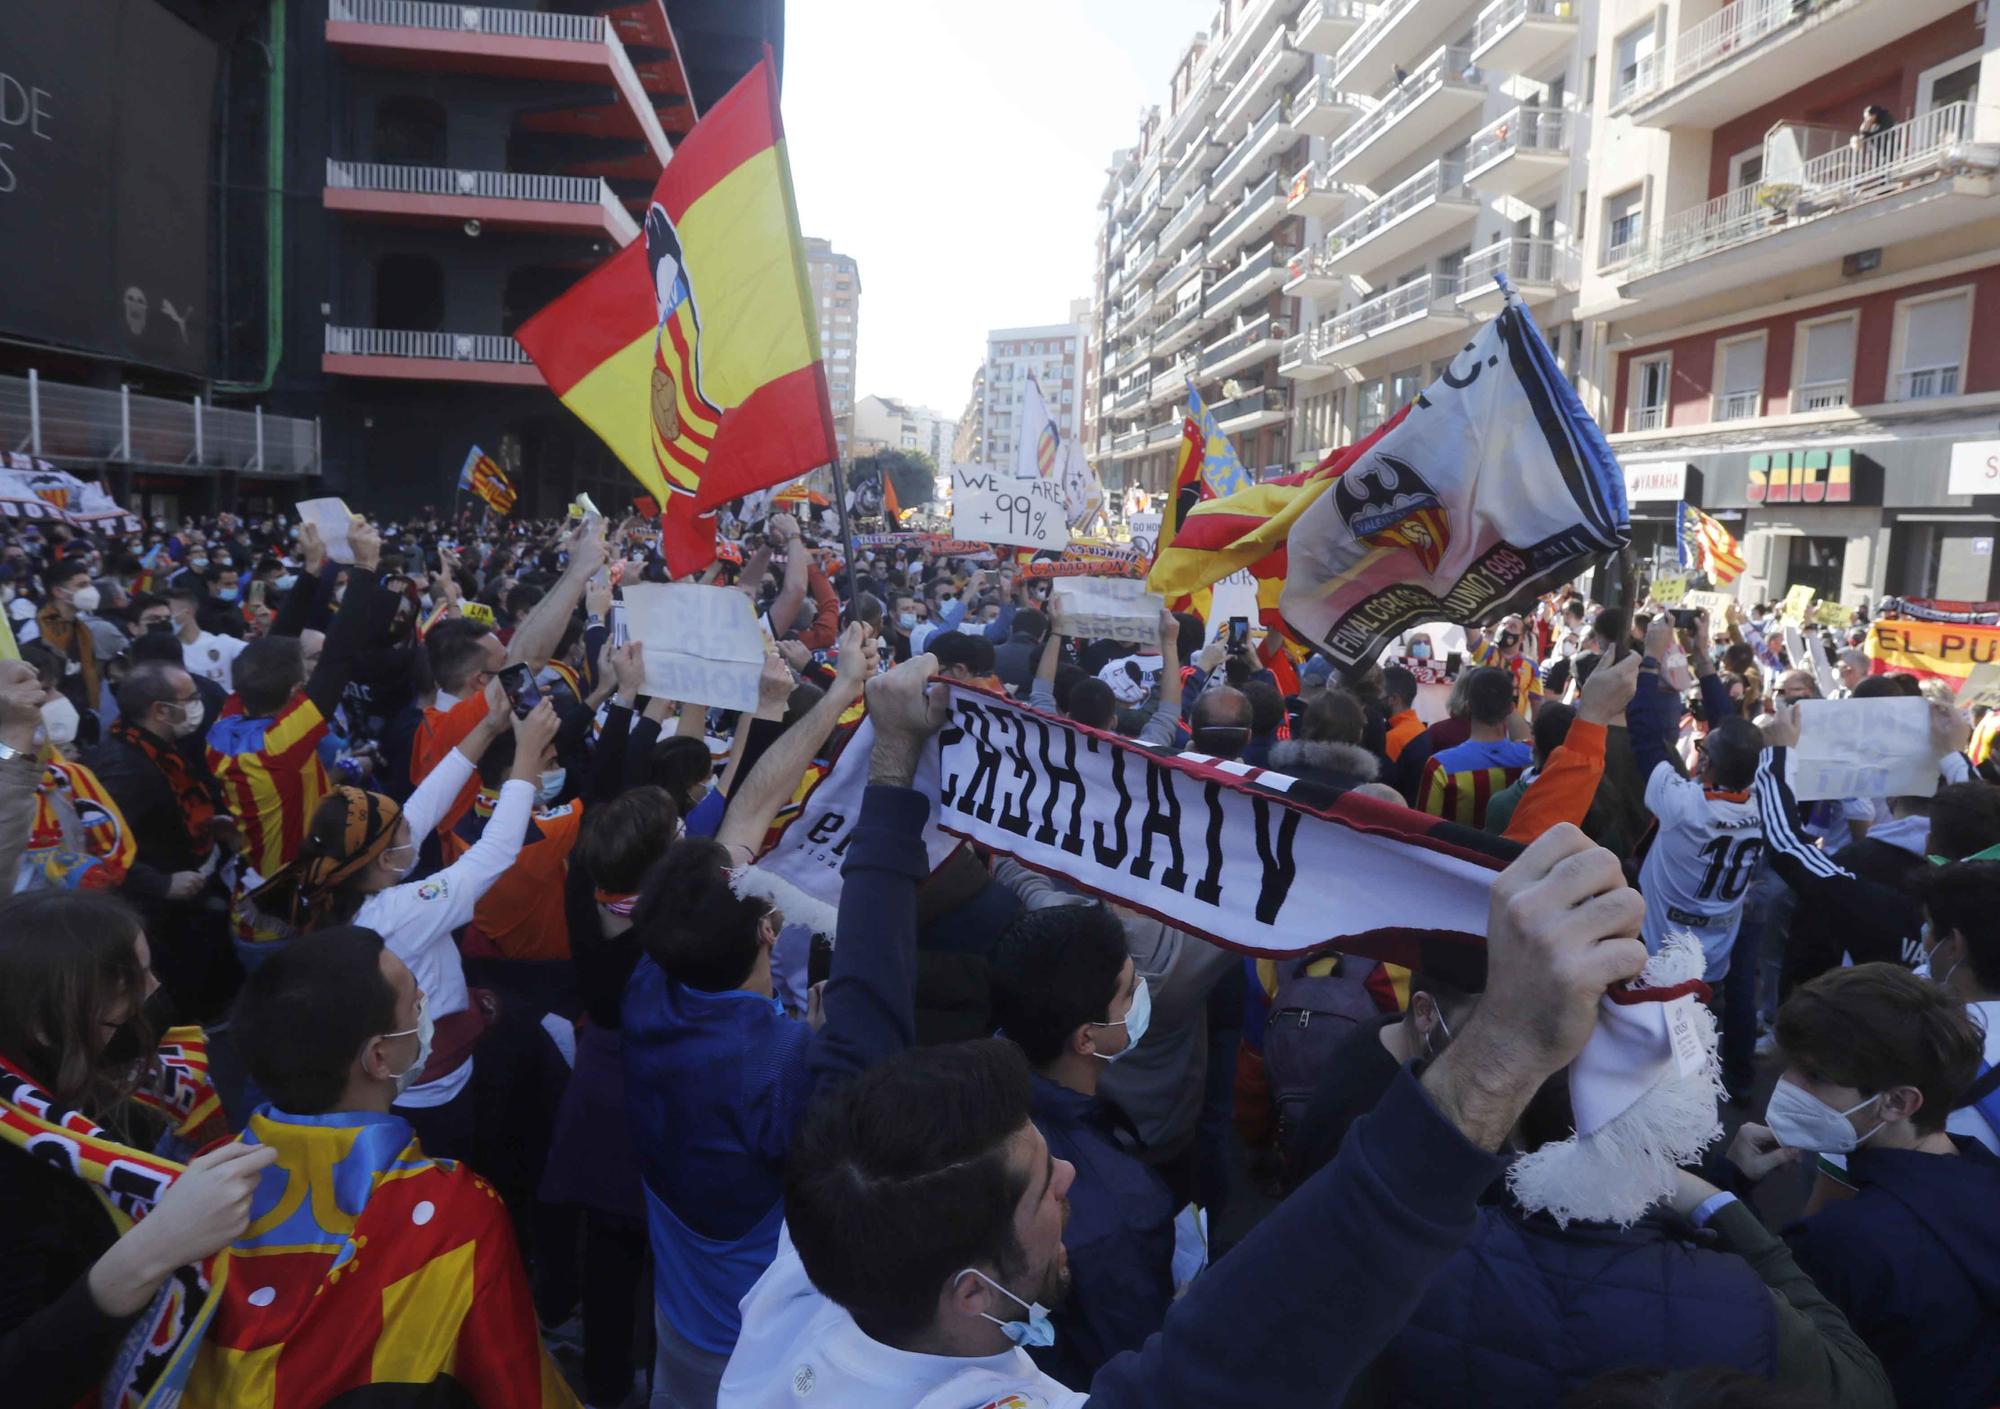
<point x="701" y="643"/>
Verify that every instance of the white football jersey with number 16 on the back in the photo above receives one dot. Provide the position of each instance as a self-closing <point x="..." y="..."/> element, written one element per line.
<point x="1701" y="866"/>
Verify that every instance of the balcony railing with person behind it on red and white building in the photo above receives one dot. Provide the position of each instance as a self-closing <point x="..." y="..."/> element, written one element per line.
<point x="1835" y="181"/>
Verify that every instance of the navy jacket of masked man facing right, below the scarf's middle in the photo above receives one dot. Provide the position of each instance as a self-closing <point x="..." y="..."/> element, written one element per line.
<point x="1119" y="1238"/>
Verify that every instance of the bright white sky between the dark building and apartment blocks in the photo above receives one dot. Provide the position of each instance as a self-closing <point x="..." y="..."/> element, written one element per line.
<point x="957" y="151"/>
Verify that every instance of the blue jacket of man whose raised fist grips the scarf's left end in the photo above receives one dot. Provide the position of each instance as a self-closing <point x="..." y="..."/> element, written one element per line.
<point x="719" y="1082"/>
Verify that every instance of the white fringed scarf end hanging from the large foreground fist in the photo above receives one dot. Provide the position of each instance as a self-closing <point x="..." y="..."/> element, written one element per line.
<point x="1645" y="1098"/>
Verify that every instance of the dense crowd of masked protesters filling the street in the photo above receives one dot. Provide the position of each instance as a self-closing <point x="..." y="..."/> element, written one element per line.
<point x="391" y="1012"/>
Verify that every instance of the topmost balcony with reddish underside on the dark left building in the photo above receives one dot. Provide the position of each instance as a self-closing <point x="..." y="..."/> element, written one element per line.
<point x="469" y="39"/>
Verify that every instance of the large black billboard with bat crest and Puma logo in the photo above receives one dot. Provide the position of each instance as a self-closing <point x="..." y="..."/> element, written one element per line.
<point x="105" y="131"/>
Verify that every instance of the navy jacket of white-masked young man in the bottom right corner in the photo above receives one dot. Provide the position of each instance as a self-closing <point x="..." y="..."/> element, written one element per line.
<point x="1915" y="1262"/>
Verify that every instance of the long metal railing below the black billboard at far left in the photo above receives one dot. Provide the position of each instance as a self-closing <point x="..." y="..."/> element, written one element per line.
<point x="59" y="421"/>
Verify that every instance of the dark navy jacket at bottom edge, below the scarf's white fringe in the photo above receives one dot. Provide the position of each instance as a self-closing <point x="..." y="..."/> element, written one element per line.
<point x="1531" y="1312"/>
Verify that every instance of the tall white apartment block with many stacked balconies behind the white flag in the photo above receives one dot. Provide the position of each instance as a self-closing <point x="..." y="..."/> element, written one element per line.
<point x="1315" y="223"/>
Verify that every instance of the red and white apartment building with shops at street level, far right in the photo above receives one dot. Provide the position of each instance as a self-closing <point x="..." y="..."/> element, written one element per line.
<point x="1799" y="319"/>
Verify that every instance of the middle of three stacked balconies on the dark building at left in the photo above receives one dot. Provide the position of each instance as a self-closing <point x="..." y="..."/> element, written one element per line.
<point x="507" y="201"/>
